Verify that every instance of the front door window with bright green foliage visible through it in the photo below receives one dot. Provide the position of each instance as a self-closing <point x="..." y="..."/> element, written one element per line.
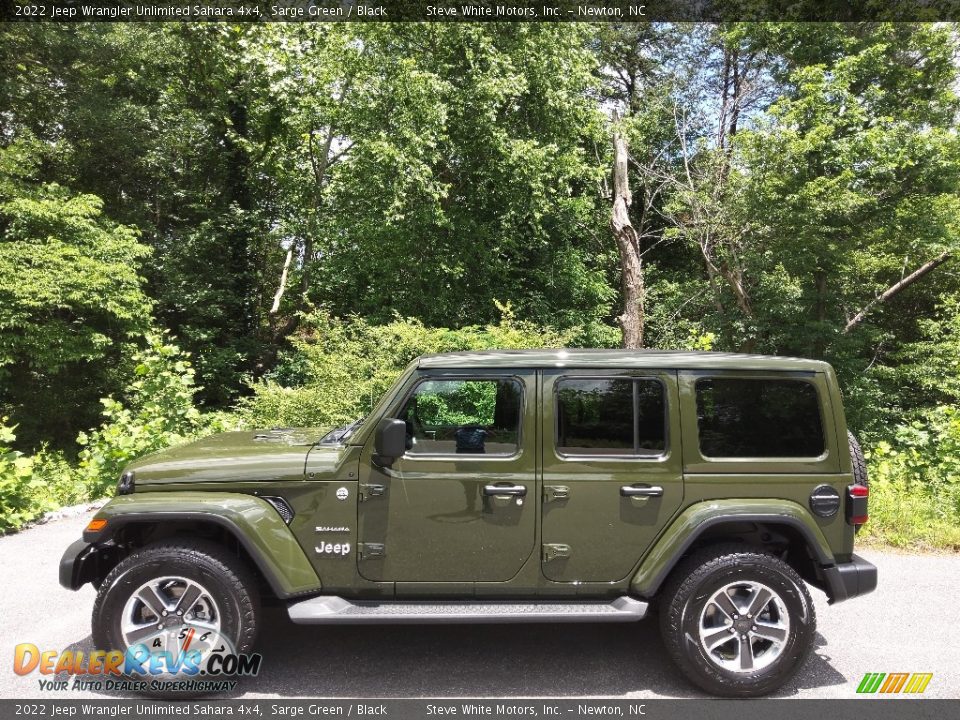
<point x="456" y="417"/>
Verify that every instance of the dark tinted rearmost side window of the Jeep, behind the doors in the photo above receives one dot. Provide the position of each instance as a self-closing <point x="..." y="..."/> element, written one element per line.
<point x="740" y="418"/>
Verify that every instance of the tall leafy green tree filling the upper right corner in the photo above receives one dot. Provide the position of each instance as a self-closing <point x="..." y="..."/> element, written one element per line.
<point x="854" y="171"/>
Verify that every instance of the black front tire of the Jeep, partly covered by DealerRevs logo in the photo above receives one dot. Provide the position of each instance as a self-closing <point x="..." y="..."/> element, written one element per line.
<point x="228" y="580"/>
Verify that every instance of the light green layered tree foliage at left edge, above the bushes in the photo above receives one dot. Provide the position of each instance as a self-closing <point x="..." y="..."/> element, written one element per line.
<point x="70" y="297"/>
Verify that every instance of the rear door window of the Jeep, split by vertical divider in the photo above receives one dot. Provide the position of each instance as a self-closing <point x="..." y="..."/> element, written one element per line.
<point x="606" y="416"/>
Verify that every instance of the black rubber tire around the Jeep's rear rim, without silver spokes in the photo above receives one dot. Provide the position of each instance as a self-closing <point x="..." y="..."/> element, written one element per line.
<point x="690" y="590"/>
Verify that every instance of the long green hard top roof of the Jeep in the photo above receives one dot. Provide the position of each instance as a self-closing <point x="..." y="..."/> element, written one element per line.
<point x="617" y="359"/>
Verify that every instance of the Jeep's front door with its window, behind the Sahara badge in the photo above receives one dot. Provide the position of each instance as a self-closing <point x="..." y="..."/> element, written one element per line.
<point x="460" y="505"/>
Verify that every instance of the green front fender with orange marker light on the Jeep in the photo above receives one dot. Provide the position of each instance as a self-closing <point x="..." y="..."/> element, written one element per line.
<point x="252" y="521"/>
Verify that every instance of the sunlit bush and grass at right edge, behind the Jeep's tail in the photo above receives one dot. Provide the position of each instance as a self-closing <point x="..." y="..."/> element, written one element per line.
<point x="915" y="484"/>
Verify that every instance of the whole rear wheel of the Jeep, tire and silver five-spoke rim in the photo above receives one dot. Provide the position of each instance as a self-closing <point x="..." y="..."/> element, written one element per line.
<point x="738" y="622"/>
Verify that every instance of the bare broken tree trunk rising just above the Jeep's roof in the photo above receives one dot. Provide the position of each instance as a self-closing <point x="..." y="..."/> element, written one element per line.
<point x="631" y="264"/>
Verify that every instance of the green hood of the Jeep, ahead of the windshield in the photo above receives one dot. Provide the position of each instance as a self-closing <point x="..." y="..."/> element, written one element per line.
<point x="245" y="456"/>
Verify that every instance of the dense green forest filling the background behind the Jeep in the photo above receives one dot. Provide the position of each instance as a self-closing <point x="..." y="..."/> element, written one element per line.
<point x="207" y="226"/>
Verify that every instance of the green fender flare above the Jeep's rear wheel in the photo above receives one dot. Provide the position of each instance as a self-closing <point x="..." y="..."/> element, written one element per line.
<point x="700" y="517"/>
